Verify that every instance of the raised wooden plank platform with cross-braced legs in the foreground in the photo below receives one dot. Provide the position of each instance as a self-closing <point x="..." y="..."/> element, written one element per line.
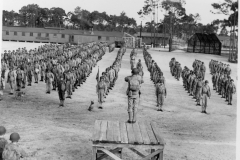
<point x="117" y="135"/>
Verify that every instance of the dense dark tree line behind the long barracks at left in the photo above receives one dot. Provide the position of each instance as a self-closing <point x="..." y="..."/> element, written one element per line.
<point x="34" y="16"/>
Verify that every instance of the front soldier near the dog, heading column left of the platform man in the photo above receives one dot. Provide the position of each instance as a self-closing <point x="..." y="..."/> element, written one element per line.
<point x="101" y="91"/>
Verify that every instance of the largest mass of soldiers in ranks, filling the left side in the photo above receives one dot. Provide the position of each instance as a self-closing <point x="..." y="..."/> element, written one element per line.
<point x="73" y="64"/>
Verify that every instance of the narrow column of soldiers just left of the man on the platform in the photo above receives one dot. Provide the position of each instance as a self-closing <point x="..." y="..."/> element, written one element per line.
<point x="109" y="77"/>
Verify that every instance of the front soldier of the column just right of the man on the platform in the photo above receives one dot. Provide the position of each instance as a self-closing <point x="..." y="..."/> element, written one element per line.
<point x="161" y="92"/>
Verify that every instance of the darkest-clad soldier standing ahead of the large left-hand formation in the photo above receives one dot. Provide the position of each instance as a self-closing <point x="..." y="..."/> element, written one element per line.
<point x="61" y="90"/>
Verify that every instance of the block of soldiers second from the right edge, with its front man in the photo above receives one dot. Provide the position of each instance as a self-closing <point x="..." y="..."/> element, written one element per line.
<point x="194" y="83"/>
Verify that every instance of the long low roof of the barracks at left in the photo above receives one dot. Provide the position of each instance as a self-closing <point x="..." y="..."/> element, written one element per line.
<point x="62" y="31"/>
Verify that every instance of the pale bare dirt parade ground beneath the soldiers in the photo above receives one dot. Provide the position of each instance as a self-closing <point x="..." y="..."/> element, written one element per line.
<point x="65" y="133"/>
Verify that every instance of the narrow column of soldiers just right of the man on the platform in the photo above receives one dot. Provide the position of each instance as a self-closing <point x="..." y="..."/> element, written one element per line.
<point x="157" y="78"/>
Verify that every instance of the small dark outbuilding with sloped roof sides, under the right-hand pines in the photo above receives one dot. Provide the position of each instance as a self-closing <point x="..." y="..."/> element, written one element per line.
<point x="204" y="43"/>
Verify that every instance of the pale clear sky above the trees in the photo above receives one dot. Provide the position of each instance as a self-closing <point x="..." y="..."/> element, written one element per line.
<point x="115" y="7"/>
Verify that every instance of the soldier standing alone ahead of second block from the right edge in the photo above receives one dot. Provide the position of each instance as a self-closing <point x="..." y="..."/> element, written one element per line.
<point x="205" y="93"/>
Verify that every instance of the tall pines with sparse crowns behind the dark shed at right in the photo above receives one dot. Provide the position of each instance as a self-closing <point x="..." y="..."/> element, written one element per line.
<point x="184" y="24"/>
